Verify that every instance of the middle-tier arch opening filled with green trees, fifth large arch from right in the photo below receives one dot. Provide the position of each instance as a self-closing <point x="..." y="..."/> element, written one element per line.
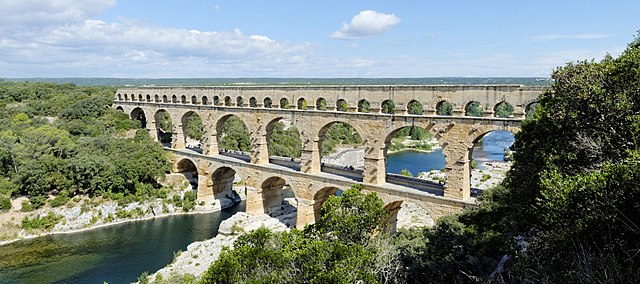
<point x="233" y="137"/>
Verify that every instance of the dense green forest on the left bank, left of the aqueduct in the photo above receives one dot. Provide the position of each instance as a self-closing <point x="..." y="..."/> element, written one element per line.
<point x="65" y="140"/>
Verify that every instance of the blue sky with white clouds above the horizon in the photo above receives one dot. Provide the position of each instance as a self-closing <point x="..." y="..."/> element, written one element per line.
<point x="314" y="39"/>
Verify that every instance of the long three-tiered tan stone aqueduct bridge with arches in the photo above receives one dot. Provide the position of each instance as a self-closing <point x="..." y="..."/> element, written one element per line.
<point x="260" y="107"/>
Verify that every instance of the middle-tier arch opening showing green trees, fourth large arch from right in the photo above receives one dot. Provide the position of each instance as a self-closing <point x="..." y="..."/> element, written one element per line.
<point x="284" y="143"/>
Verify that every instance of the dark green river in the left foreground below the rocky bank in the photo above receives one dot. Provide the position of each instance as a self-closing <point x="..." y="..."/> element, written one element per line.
<point x="113" y="254"/>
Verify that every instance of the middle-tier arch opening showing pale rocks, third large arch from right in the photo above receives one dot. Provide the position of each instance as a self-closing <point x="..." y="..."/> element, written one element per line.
<point x="341" y="150"/>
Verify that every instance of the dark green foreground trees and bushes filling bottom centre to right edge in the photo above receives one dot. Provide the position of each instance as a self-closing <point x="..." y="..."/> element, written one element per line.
<point x="568" y="211"/>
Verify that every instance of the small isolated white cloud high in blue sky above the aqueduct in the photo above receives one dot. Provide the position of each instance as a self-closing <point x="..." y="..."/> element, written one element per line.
<point x="366" y="23"/>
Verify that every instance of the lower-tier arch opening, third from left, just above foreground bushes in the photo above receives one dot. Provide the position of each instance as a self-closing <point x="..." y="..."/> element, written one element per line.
<point x="279" y="201"/>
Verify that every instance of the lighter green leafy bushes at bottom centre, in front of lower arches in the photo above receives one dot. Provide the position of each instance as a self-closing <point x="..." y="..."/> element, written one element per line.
<point x="319" y="254"/>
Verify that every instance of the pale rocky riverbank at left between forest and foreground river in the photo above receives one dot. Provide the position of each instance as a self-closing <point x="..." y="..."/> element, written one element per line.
<point x="83" y="213"/>
